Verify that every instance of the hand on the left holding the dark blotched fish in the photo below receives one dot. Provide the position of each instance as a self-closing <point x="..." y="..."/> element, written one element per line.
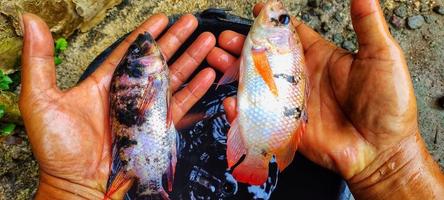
<point x="69" y="130"/>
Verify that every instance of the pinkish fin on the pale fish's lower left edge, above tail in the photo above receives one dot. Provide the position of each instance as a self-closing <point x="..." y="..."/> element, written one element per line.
<point x="235" y="146"/>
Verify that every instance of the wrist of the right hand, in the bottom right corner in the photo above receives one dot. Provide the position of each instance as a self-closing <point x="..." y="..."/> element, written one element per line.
<point x="404" y="171"/>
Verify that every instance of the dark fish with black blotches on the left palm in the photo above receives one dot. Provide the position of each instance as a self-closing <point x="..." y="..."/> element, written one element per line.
<point x="144" y="136"/>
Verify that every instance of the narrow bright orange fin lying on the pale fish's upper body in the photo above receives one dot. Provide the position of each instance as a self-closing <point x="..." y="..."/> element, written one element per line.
<point x="263" y="68"/>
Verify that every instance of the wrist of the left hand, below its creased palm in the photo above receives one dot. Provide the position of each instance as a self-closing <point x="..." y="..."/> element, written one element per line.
<point x="55" y="188"/>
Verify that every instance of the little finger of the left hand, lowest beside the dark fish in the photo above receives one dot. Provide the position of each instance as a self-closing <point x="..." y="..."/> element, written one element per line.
<point x="184" y="99"/>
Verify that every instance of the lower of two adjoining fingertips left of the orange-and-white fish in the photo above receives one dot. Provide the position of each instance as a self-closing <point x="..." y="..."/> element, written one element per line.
<point x="220" y="59"/>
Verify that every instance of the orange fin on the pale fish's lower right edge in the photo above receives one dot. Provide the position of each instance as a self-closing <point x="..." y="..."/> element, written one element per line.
<point x="285" y="156"/>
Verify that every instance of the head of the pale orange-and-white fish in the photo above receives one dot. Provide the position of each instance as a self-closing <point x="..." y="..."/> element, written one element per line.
<point x="273" y="28"/>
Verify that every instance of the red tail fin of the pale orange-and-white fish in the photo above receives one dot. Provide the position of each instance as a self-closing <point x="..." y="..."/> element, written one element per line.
<point x="253" y="170"/>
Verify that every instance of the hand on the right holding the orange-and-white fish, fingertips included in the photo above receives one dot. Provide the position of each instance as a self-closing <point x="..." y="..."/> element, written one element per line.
<point x="362" y="115"/>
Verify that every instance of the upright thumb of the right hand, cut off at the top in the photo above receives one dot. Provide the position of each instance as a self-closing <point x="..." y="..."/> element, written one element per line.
<point x="370" y="26"/>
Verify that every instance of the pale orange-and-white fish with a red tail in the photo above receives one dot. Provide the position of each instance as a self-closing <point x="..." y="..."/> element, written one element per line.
<point x="271" y="99"/>
